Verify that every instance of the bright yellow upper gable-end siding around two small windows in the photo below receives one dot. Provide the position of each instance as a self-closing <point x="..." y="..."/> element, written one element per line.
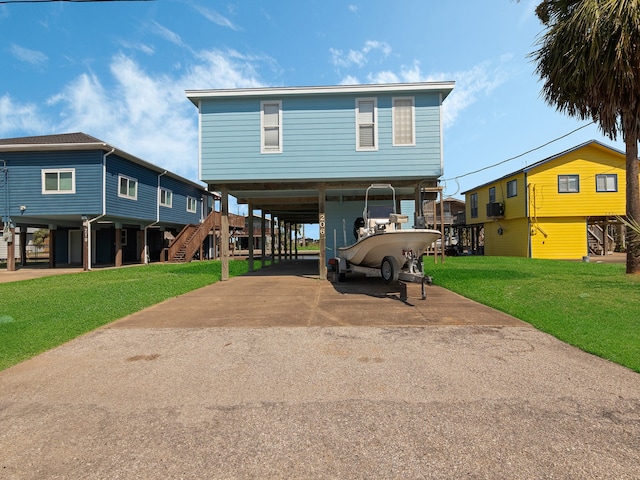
<point x="587" y="162"/>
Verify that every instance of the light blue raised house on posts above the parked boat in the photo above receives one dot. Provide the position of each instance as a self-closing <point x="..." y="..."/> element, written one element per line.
<point x="307" y="154"/>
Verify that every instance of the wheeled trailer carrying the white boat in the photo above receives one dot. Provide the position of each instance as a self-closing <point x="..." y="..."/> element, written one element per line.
<point x="390" y="271"/>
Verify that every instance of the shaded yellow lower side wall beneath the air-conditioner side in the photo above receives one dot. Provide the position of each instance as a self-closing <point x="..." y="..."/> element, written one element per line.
<point x="512" y="242"/>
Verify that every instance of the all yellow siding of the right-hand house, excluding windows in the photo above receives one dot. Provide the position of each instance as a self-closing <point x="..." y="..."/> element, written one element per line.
<point x="553" y="224"/>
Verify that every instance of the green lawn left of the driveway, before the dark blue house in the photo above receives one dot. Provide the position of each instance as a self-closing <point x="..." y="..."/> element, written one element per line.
<point x="37" y="315"/>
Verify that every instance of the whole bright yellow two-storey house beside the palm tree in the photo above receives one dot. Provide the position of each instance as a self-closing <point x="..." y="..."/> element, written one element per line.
<point x="562" y="207"/>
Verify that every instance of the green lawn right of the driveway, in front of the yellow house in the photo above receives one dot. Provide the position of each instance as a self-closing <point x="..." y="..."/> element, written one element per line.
<point x="593" y="306"/>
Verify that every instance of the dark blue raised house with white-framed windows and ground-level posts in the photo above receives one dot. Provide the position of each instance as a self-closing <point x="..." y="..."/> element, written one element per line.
<point x="93" y="198"/>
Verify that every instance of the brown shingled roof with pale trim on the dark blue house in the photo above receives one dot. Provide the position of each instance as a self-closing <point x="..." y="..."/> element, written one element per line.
<point x="80" y="141"/>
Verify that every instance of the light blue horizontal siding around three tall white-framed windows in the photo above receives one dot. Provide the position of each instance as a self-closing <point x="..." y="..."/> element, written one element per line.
<point x="319" y="141"/>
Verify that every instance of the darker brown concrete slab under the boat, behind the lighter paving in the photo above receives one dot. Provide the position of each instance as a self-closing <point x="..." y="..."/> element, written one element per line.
<point x="290" y="294"/>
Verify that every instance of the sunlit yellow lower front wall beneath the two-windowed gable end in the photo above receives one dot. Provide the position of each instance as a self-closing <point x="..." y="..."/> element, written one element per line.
<point x="559" y="238"/>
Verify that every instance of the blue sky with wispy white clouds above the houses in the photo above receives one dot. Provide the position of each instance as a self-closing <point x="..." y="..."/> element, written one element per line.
<point x="118" y="70"/>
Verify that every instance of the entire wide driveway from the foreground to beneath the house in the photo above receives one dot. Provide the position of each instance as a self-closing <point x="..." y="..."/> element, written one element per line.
<point x="281" y="375"/>
